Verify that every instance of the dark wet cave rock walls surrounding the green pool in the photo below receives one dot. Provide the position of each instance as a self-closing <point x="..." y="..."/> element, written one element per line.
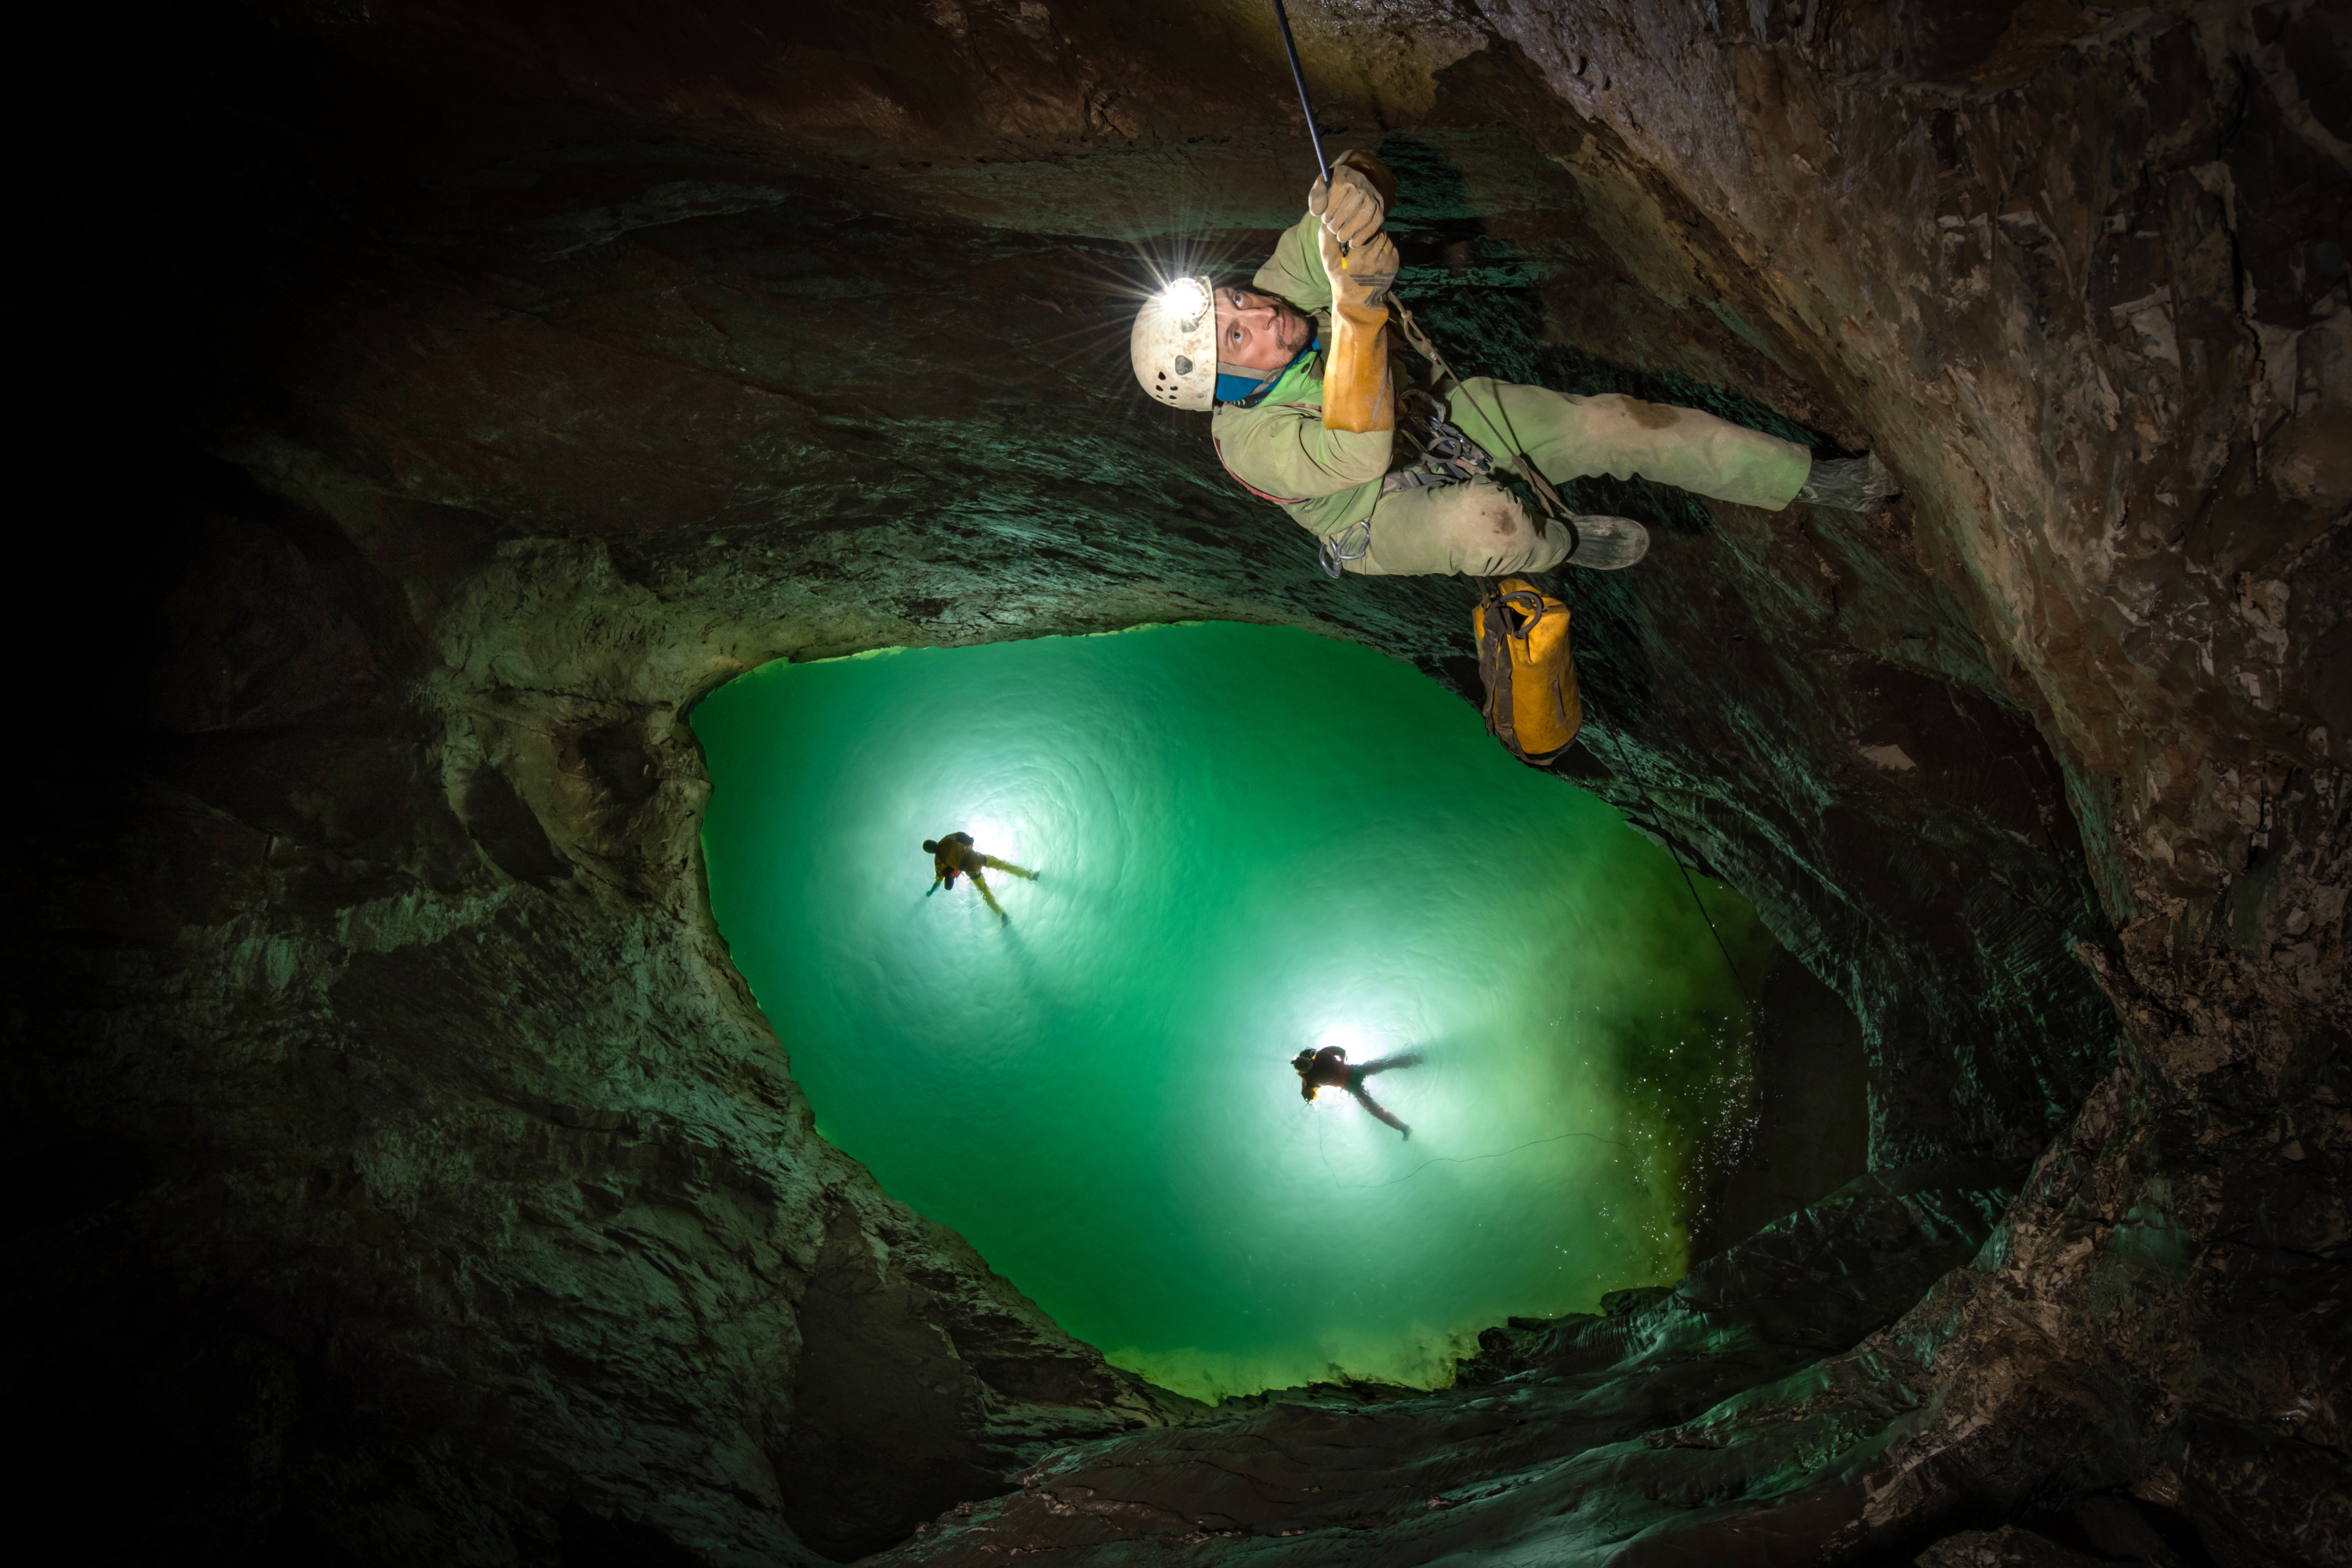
<point x="460" y="394"/>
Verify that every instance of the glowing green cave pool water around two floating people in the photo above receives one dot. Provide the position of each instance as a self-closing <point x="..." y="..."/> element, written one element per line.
<point x="1250" y="840"/>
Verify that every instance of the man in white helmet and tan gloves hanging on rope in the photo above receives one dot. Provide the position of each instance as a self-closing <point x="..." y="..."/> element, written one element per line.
<point x="1316" y="413"/>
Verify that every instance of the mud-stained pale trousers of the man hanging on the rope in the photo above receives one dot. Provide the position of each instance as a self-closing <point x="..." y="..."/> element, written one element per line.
<point x="1483" y="530"/>
